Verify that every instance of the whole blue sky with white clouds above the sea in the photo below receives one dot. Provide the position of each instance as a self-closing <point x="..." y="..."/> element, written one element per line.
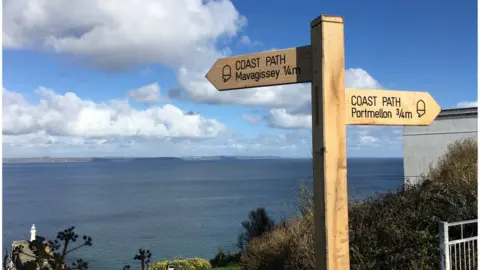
<point x="102" y="78"/>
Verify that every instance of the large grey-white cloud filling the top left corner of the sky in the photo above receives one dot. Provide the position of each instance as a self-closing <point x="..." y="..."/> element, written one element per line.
<point x="117" y="34"/>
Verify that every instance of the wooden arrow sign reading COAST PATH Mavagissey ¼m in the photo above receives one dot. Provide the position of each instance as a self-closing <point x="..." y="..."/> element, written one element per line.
<point x="287" y="66"/>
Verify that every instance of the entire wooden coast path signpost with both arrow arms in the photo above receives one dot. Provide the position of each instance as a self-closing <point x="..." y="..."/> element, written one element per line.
<point x="333" y="107"/>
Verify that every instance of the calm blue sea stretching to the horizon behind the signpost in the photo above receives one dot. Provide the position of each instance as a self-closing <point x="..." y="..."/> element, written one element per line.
<point x="175" y="208"/>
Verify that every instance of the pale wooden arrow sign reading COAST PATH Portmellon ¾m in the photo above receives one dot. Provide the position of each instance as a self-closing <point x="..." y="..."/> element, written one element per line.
<point x="393" y="108"/>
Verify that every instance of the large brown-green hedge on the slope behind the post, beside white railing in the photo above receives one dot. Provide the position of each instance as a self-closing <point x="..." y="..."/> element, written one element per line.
<point x="395" y="230"/>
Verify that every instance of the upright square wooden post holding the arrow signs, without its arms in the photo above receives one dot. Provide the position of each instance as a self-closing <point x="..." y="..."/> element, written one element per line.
<point x="329" y="144"/>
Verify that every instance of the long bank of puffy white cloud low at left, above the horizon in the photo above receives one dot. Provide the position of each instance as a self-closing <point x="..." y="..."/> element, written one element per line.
<point x="69" y="115"/>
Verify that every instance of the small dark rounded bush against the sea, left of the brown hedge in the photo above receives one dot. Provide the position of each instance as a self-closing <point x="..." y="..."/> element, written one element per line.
<point x="257" y="224"/>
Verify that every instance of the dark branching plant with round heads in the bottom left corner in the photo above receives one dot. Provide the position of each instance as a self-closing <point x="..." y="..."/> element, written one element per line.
<point x="53" y="253"/>
